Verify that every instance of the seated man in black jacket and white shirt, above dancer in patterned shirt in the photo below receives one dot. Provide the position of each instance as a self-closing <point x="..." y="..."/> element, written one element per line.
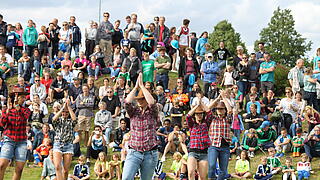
<point x="57" y="88"/>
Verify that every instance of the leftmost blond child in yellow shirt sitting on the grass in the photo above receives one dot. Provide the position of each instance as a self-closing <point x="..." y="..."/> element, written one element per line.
<point x="101" y="167"/>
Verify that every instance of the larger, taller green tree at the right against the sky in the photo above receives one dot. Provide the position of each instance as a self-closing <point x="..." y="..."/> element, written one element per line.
<point x="281" y="39"/>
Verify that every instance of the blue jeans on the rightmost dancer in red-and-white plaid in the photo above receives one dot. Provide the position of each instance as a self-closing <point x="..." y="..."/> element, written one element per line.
<point x="223" y="155"/>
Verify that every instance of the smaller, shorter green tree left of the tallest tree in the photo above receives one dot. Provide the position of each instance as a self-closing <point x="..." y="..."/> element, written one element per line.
<point x="224" y="31"/>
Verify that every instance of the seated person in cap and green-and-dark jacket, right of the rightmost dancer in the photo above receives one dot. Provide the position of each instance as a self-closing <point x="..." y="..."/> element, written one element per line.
<point x="266" y="135"/>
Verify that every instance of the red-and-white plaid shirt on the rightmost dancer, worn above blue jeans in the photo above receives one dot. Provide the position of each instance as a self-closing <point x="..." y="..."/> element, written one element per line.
<point x="220" y="128"/>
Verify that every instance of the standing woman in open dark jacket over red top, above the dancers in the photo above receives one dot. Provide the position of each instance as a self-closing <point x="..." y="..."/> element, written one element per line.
<point x="189" y="69"/>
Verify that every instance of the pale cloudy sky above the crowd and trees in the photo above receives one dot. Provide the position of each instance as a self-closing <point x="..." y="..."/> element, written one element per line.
<point x="248" y="17"/>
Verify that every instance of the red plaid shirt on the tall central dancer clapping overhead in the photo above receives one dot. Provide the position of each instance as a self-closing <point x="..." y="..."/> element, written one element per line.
<point x="142" y="127"/>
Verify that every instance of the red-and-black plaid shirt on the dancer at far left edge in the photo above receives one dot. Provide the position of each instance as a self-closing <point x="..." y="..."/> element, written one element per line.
<point x="15" y="123"/>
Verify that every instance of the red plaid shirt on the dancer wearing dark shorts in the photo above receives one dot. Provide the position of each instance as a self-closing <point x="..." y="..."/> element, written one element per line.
<point x="199" y="138"/>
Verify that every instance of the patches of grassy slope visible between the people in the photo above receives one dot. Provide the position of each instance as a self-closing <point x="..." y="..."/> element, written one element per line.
<point x="35" y="173"/>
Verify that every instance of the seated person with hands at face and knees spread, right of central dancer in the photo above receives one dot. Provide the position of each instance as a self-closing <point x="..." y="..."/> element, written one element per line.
<point x="176" y="142"/>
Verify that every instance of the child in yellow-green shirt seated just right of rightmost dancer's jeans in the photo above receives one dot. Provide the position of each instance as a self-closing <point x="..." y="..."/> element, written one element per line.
<point x="242" y="167"/>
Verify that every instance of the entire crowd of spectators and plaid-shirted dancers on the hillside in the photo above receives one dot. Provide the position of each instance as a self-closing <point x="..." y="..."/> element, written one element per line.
<point x="220" y="104"/>
